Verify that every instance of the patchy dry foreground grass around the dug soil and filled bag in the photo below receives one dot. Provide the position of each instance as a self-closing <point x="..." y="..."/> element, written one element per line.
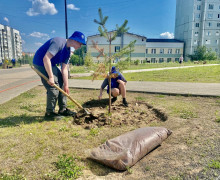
<point x="32" y="148"/>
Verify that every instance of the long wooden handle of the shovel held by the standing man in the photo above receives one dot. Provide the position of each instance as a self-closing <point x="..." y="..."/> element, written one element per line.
<point x="62" y="91"/>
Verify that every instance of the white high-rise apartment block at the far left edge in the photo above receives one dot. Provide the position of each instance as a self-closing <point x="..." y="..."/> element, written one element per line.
<point x="10" y="43"/>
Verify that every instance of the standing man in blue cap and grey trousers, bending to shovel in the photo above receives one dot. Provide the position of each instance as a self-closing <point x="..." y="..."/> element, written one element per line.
<point x="56" y="51"/>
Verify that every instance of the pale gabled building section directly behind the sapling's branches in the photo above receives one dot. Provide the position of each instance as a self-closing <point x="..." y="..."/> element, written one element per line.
<point x="120" y="42"/>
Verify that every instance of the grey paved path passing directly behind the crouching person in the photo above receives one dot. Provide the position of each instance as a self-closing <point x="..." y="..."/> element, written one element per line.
<point x="171" y="88"/>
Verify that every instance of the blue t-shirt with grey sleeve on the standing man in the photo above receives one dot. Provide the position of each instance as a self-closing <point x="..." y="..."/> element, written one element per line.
<point x="57" y="47"/>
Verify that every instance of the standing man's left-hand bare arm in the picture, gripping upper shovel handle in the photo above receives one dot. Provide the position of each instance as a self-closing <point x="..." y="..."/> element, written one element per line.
<point x="47" y="64"/>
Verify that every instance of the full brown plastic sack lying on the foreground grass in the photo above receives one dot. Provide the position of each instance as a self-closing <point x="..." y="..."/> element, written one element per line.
<point x="125" y="150"/>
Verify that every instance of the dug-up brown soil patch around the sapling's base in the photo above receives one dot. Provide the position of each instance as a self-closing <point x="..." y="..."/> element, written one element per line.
<point x="136" y="114"/>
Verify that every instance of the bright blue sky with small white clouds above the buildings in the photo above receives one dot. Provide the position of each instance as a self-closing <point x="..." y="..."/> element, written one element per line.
<point x="40" y="20"/>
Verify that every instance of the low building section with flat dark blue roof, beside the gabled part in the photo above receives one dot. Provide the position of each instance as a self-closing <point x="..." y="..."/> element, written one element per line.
<point x="163" y="50"/>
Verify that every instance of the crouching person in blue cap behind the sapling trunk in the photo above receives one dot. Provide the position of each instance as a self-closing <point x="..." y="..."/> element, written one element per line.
<point x="118" y="83"/>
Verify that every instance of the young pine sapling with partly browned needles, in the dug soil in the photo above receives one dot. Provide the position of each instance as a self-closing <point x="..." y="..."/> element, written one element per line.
<point x="110" y="36"/>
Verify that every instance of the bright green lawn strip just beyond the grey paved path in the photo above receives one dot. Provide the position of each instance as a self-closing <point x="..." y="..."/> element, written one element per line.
<point x="202" y="74"/>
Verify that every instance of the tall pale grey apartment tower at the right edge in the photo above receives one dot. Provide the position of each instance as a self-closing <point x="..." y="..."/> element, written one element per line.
<point x="198" y="24"/>
